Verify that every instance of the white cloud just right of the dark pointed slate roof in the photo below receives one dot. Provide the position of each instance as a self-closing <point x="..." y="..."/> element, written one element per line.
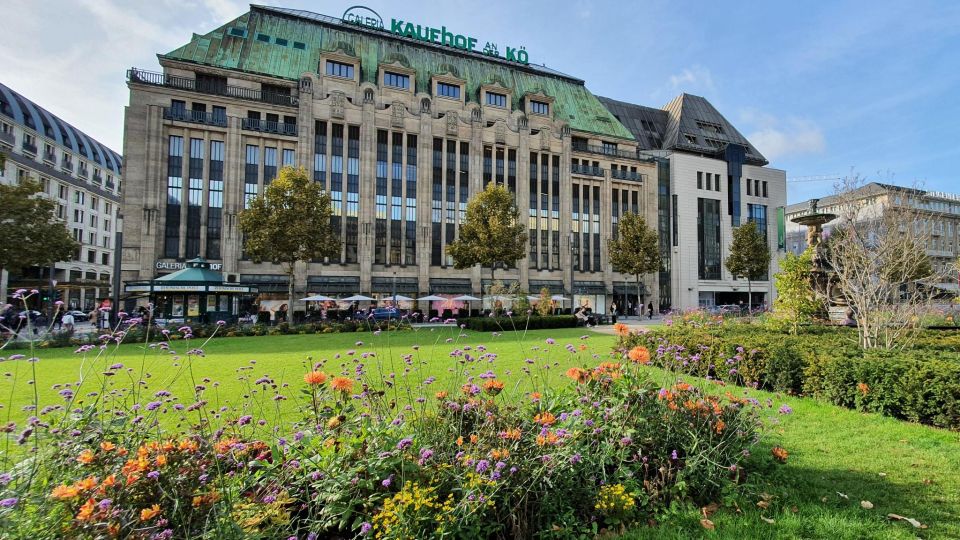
<point x="777" y="138"/>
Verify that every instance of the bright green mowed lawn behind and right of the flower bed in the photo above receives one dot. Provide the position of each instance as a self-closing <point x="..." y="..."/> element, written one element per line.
<point x="898" y="467"/>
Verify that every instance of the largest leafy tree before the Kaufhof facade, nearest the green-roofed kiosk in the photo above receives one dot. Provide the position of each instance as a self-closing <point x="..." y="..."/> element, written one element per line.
<point x="288" y="223"/>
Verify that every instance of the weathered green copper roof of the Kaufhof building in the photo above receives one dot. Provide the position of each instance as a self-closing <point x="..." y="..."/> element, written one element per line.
<point x="250" y="43"/>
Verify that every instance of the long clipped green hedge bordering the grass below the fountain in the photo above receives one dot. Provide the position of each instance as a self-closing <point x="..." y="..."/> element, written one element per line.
<point x="921" y="384"/>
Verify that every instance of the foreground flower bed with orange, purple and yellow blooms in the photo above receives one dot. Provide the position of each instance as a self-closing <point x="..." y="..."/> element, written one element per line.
<point x="394" y="456"/>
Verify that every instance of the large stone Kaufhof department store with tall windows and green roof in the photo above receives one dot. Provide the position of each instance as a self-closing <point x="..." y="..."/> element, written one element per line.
<point x="401" y="123"/>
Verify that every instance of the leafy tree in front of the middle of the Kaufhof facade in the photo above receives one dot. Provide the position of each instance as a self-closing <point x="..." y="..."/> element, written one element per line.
<point x="492" y="232"/>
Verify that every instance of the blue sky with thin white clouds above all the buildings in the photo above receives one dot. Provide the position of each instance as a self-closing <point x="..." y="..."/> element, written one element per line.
<point x="819" y="87"/>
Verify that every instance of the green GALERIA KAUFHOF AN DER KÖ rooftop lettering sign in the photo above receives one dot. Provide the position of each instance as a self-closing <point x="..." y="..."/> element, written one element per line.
<point x="367" y="18"/>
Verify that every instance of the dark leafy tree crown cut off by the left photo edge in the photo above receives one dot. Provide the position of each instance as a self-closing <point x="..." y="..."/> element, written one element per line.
<point x="30" y="235"/>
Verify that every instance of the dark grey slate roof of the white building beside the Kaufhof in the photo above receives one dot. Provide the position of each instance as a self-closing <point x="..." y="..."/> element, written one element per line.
<point x="686" y="115"/>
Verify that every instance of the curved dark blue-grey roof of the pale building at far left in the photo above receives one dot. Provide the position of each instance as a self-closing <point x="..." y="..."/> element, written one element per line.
<point x="27" y="113"/>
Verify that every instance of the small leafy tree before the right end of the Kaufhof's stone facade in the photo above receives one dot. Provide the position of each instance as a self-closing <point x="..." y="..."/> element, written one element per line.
<point x="635" y="250"/>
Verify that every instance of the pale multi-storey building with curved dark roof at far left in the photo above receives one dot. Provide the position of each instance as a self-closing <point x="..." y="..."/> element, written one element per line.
<point x="83" y="177"/>
